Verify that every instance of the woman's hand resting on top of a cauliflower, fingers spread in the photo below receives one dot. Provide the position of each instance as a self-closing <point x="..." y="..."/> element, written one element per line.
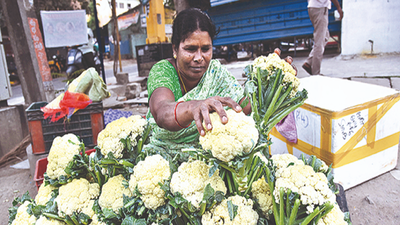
<point x="201" y="110"/>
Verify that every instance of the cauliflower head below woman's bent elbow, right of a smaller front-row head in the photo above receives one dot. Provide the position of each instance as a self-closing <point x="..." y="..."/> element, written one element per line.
<point x="146" y="176"/>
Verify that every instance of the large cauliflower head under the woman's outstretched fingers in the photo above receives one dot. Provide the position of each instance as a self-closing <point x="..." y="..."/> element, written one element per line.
<point x="229" y="140"/>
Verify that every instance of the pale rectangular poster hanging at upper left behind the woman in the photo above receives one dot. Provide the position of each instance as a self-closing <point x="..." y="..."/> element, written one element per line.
<point x="64" y="28"/>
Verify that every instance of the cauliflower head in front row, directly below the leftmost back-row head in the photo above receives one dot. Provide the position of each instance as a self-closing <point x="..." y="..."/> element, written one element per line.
<point x="77" y="196"/>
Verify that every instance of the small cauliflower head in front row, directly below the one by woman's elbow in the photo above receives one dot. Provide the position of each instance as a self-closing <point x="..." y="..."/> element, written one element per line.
<point x="112" y="194"/>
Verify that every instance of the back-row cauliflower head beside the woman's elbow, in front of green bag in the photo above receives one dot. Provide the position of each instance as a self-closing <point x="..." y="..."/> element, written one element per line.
<point x="109" y="139"/>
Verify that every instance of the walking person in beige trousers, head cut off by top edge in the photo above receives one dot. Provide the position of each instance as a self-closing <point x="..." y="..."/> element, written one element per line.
<point x="318" y="13"/>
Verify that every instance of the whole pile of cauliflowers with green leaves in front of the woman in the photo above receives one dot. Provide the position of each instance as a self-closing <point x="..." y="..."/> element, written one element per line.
<point x="158" y="189"/>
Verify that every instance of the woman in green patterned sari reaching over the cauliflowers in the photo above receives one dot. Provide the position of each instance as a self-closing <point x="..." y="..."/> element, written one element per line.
<point x="183" y="91"/>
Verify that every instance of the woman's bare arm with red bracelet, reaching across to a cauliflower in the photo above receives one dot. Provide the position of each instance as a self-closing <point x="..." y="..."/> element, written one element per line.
<point x="172" y="116"/>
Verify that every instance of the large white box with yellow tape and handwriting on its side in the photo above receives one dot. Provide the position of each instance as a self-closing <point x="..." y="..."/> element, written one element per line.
<point x="352" y="125"/>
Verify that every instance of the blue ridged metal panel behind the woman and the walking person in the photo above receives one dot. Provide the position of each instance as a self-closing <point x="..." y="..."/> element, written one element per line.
<point x="266" y="24"/>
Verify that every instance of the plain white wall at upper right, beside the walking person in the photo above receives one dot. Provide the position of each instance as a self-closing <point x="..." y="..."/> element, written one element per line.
<point x="376" y="20"/>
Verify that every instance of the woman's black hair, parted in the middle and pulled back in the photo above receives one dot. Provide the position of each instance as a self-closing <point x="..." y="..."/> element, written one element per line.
<point x="187" y="22"/>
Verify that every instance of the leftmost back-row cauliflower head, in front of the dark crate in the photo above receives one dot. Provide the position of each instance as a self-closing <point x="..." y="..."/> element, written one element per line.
<point x="61" y="153"/>
